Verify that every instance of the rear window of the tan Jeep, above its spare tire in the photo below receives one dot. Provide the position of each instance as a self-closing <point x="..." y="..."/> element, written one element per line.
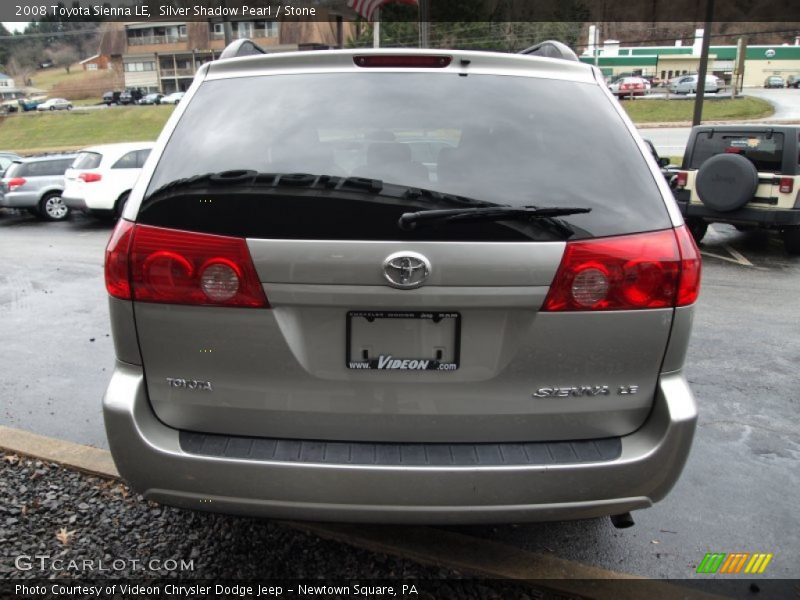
<point x="763" y="149"/>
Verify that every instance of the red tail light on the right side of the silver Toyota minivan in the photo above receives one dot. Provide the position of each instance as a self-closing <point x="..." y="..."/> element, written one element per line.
<point x="647" y="270"/>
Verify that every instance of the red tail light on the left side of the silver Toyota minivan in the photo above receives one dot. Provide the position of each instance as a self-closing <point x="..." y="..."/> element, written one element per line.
<point x="152" y="264"/>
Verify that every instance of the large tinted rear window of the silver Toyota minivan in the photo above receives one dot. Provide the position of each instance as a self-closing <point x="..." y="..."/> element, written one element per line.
<point x="514" y="141"/>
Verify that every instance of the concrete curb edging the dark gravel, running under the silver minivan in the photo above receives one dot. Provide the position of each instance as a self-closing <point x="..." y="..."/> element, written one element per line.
<point x="427" y="545"/>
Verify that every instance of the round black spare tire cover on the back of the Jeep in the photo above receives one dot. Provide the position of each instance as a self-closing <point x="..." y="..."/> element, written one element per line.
<point x="726" y="182"/>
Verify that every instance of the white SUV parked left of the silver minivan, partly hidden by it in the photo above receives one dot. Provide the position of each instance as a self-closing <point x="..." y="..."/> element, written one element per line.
<point x="101" y="178"/>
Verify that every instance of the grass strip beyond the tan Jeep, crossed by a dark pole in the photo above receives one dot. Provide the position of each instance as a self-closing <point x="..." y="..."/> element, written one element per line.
<point x="652" y="111"/>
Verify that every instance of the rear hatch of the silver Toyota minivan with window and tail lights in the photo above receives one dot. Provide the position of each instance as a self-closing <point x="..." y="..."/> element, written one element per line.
<point x="276" y="294"/>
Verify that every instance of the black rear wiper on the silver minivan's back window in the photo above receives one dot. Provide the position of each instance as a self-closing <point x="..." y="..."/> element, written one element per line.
<point x="411" y="220"/>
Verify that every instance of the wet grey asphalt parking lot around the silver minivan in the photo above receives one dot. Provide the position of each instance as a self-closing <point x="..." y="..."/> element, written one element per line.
<point x="739" y="490"/>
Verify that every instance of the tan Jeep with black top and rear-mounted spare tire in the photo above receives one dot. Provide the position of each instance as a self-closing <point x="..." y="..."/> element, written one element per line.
<point x="746" y="175"/>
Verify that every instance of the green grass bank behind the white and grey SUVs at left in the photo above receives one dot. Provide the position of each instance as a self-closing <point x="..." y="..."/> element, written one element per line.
<point x="76" y="129"/>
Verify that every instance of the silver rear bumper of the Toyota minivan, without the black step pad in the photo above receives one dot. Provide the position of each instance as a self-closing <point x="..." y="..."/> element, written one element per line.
<point x="149" y="456"/>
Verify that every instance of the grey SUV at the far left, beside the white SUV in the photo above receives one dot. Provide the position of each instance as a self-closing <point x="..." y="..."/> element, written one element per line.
<point x="36" y="184"/>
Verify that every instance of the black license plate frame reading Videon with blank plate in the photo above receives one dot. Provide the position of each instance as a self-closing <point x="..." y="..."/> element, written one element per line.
<point x="403" y="340"/>
